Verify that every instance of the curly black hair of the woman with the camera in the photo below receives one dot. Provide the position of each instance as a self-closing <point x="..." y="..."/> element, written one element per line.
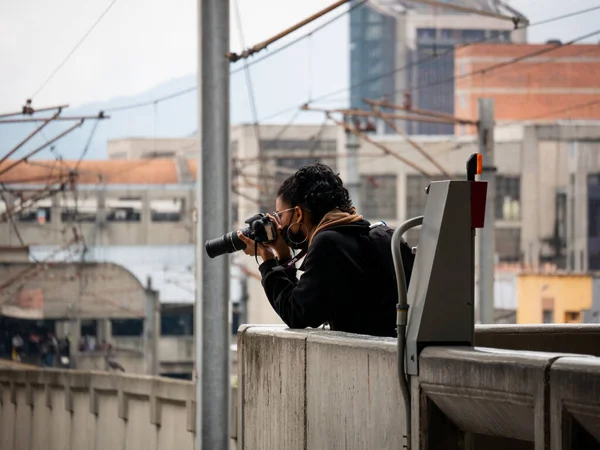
<point x="318" y="188"/>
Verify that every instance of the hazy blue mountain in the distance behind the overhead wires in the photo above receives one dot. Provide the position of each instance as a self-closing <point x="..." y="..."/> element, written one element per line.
<point x="282" y="82"/>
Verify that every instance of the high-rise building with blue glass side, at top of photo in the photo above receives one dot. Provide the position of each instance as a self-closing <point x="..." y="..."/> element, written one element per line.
<point x="400" y="48"/>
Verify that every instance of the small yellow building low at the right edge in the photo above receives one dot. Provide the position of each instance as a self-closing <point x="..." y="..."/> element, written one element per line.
<point x="553" y="298"/>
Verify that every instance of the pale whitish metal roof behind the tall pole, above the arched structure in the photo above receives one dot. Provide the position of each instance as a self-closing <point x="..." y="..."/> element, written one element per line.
<point x="170" y="267"/>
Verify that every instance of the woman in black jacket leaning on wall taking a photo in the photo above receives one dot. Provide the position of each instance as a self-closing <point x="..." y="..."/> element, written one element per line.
<point x="349" y="278"/>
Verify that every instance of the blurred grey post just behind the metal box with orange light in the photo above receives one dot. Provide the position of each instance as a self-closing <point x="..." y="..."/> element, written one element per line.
<point x="487" y="235"/>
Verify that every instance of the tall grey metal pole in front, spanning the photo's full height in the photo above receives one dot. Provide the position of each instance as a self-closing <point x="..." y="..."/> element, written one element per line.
<point x="213" y="208"/>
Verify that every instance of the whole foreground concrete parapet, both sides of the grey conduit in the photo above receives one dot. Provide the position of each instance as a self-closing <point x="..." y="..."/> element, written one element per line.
<point x="309" y="389"/>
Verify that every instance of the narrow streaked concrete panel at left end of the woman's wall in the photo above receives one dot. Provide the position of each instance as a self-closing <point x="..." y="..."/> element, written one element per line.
<point x="272" y="380"/>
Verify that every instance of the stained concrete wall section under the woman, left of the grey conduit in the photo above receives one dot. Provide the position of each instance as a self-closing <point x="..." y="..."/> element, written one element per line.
<point x="314" y="390"/>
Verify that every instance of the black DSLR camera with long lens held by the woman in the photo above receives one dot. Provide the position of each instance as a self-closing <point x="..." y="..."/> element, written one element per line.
<point x="260" y="229"/>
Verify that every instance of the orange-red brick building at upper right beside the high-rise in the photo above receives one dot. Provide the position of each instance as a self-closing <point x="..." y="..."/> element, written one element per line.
<point x="559" y="85"/>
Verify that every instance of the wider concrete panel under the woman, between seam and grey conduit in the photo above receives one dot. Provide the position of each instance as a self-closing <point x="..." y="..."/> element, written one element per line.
<point x="353" y="396"/>
